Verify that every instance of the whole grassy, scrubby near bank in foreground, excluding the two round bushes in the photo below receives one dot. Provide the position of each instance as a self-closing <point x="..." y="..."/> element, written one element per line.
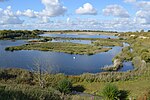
<point x="19" y="83"/>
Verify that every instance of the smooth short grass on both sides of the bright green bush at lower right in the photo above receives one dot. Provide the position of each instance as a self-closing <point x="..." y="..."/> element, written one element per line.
<point x="136" y="87"/>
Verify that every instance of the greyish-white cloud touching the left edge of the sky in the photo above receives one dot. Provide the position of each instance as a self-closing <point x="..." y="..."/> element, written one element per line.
<point x="8" y="17"/>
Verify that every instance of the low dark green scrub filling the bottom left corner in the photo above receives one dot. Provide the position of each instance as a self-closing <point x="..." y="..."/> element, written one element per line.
<point x="8" y="92"/>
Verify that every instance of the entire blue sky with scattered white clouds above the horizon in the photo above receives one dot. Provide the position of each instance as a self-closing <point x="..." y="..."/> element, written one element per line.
<point x="107" y="15"/>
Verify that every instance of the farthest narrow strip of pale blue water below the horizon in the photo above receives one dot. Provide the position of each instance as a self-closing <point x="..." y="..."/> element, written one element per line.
<point x="78" y="36"/>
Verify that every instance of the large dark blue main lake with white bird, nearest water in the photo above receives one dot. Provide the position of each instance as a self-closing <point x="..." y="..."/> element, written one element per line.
<point x="58" y="62"/>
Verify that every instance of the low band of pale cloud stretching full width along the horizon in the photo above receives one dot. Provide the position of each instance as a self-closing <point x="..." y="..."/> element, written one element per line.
<point x="116" y="24"/>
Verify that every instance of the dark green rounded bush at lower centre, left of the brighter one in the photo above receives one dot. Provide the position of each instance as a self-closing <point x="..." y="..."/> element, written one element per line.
<point x="64" y="86"/>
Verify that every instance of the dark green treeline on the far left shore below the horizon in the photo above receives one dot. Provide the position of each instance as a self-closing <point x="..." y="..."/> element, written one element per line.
<point x="14" y="34"/>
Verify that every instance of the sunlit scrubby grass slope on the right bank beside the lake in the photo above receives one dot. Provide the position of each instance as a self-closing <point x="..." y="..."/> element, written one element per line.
<point x="140" y="47"/>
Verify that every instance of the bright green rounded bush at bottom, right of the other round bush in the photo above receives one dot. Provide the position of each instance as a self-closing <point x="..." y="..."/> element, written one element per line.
<point x="111" y="92"/>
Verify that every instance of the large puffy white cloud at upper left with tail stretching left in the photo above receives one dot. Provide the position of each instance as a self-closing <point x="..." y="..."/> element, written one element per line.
<point x="52" y="8"/>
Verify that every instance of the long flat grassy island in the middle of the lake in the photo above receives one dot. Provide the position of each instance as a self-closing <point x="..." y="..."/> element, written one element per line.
<point x="71" y="48"/>
